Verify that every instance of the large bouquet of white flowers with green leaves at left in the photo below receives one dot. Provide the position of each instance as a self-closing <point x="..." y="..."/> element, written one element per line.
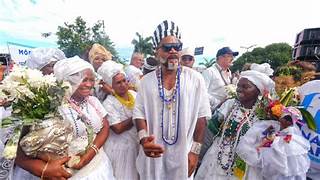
<point x="34" y="97"/>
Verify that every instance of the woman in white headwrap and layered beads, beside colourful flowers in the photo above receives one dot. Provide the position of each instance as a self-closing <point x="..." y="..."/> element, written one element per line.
<point x="221" y="161"/>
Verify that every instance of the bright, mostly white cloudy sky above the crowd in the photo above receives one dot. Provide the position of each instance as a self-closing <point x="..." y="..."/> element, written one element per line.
<point x="209" y="23"/>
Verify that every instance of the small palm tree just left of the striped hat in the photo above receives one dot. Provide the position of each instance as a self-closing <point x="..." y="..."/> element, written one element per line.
<point x="142" y="45"/>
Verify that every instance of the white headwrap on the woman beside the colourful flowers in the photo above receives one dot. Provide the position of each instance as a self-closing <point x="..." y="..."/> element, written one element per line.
<point x="262" y="81"/>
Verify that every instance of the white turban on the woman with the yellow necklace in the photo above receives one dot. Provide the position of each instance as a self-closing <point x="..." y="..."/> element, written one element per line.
<point x="108" y="70"/>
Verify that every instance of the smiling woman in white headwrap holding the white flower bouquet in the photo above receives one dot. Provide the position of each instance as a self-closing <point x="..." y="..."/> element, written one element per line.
<point x="93" y="164"/>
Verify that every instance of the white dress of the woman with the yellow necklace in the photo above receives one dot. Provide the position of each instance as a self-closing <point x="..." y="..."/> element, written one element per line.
<point x="122" y="149"/>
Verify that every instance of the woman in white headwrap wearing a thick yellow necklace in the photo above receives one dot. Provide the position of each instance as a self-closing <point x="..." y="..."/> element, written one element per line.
<point x="122" y="145"/>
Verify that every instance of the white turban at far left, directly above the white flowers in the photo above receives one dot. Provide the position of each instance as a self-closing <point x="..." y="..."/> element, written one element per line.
<point x="40" y="57"/>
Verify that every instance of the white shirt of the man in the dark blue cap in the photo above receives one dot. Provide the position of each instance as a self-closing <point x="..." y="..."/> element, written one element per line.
<point x="215" y="83"/>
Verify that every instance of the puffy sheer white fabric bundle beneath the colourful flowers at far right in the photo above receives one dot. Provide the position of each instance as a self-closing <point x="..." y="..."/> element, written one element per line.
<point x="280" y="161"/>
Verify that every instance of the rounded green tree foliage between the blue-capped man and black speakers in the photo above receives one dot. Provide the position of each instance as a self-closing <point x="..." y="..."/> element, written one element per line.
<point x="276" y="54"/>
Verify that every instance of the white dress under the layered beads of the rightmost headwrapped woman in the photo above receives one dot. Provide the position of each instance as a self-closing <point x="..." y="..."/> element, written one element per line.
<point x="211" y="168"/>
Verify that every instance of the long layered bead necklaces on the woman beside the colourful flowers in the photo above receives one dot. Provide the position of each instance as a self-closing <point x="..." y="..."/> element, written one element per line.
<point x="232" y="130"/>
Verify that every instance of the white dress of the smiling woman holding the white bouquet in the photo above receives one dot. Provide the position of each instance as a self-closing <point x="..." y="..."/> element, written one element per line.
<point x="99" y="167"/>
